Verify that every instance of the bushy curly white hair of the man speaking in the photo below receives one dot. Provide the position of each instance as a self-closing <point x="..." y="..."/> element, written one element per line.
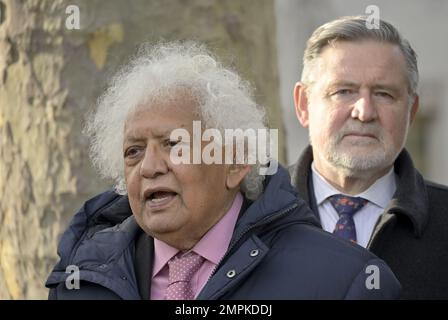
<point x="224" y="101"/>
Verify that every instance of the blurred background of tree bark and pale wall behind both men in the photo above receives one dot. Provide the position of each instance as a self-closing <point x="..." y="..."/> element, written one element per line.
<point x="51" y="73"/>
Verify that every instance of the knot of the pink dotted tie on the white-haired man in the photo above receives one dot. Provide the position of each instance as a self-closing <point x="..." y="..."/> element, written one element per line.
<point x="184" y="267"/>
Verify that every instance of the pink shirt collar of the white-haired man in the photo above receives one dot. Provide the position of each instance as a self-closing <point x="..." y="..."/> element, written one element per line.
<point x="212" y="246"/>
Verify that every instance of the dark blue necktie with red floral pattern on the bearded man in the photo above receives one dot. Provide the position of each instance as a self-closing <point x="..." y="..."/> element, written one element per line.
<point x="346" y="207"/>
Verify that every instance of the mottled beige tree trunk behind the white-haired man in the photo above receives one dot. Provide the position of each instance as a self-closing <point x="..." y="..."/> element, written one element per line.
<point x="50" y="77"/>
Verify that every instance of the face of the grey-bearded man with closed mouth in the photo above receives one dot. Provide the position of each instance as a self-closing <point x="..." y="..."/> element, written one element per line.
<point x="358" y="110"/>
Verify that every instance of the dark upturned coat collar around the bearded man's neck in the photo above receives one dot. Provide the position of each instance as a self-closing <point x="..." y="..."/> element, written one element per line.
<point x="410" y="199"/>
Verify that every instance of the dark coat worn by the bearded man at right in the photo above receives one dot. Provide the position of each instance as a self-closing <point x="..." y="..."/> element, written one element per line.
<point x="412" y="233"/>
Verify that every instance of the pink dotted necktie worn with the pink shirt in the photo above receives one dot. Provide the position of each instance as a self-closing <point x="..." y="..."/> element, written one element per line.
<point x="181" y="270"/>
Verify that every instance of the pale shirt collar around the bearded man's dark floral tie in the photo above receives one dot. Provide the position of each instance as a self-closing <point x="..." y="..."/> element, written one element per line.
<point x="379" y="193"/>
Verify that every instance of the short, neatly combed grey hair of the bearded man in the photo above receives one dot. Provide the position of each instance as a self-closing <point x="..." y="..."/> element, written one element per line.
<point x="353" y="28"/>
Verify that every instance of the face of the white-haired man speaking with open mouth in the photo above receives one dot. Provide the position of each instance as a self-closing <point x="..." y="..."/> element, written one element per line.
<point x="174" y="203"/>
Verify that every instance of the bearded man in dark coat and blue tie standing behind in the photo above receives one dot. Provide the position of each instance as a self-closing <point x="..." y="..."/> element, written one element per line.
<point x="357" y="96"/>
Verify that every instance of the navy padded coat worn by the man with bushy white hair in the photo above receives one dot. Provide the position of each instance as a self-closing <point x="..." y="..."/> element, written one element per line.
<point x="277" y="251"/>
